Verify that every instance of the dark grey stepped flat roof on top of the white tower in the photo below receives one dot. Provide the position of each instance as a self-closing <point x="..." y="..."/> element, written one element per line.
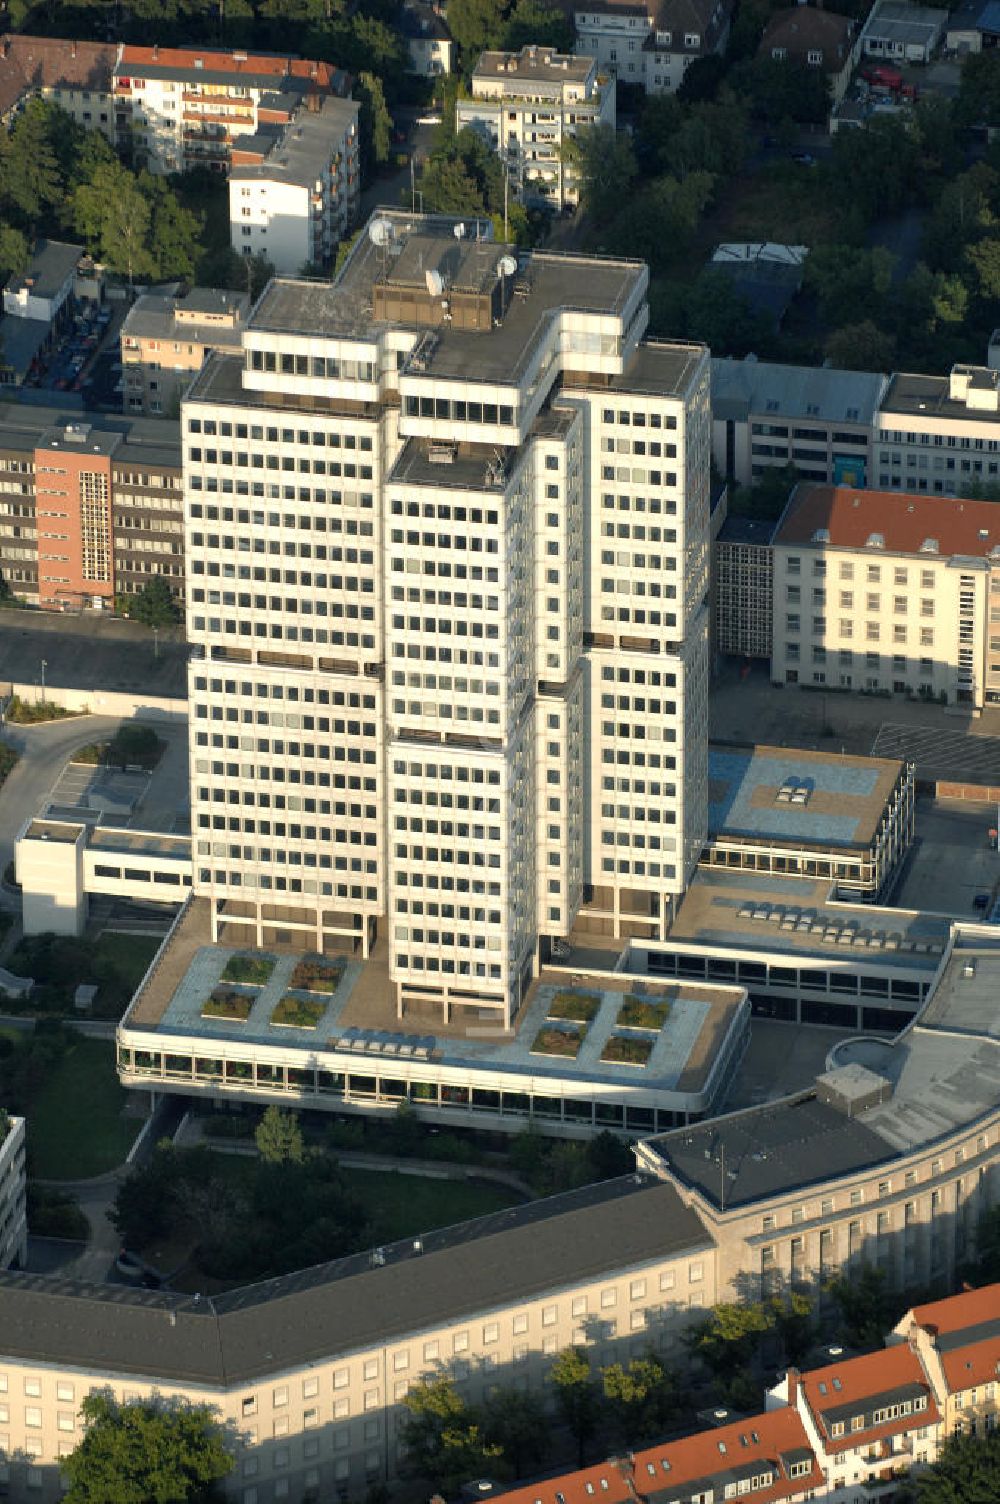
<point x="547" y="282"/>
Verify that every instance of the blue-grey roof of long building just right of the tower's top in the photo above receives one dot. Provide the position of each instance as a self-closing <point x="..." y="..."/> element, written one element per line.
<point x="744" y="387"/>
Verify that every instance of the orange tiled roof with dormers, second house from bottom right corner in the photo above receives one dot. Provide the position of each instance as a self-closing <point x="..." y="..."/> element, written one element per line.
<point x="859" y="1381"/>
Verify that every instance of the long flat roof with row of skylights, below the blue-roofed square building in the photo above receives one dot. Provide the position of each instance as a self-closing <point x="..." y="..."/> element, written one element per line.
<point x="756" y="911"/>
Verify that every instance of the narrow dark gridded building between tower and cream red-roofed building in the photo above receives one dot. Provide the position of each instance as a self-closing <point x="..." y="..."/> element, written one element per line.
<point x="744" y="580"/>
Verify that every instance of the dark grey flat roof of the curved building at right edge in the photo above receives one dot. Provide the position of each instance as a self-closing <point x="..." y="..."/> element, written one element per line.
<point x="944" y="1070"/>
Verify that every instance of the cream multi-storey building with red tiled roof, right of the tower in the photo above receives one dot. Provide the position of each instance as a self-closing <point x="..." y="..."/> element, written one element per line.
<point x="882" y="592"/>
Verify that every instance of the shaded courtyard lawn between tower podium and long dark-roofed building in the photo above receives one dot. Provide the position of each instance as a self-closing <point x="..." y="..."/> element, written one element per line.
<point x="405" y="1205"/>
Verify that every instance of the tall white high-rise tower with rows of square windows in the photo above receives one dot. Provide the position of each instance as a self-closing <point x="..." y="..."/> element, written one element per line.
<point x="447" y="536"/>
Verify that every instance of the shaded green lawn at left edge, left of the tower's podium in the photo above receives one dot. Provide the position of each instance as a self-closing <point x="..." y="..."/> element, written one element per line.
<point x="74" y="1124"/>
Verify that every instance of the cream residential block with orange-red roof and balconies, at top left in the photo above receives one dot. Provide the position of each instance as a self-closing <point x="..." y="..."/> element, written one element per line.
<point x="186" y="108"/>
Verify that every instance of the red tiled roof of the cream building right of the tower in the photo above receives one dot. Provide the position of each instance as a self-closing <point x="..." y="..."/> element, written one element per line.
<point x="905" y="521"/>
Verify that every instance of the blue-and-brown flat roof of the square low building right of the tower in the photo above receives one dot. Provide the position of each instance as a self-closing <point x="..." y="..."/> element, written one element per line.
<point x="792" y="796"/>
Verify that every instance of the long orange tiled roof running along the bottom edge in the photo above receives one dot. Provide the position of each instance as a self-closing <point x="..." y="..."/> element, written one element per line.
<point x="762" y="1439"/>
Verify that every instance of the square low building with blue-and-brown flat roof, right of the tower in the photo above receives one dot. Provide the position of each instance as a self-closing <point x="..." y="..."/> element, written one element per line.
<point x="798" y="813"/>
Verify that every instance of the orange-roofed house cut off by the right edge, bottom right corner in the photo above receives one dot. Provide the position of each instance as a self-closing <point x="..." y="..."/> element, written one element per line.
<point x="959" y="1342"/>
